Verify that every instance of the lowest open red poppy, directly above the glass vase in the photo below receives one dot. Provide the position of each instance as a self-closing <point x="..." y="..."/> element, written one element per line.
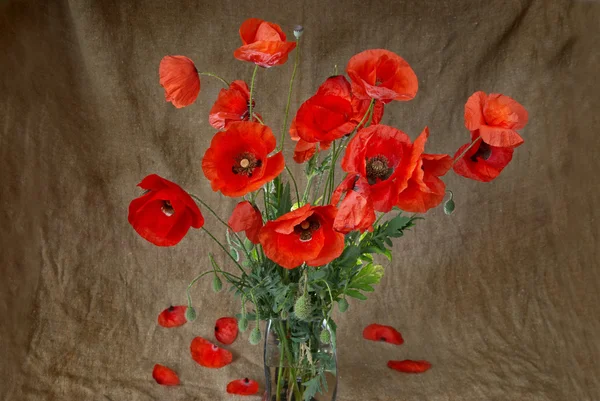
<point x="303" y="235"/>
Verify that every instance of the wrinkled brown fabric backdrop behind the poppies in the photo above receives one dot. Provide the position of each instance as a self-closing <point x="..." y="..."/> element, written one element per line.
<point x="501" y="297"/>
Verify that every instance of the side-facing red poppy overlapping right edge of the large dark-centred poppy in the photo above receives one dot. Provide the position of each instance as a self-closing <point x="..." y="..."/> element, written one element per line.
<point x="425" y="190"/>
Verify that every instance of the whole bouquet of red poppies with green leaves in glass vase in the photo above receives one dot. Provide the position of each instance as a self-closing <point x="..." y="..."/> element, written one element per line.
<point x="296" y="252"/>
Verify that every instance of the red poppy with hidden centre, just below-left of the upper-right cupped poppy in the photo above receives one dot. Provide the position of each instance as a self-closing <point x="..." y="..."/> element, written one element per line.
<point x="329" y="115"/>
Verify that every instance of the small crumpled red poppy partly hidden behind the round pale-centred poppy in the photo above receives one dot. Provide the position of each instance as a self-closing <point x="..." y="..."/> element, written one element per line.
<point x="231" y="105"/>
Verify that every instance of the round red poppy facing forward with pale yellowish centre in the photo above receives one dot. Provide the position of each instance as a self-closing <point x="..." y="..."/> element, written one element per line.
<point x="236" y="161"/>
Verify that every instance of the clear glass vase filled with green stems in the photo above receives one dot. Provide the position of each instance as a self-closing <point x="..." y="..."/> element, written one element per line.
<point x="300" y="361"/>
